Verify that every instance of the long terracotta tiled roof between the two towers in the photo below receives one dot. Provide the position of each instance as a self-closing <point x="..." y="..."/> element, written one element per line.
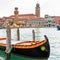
<point x="27" y="17"/>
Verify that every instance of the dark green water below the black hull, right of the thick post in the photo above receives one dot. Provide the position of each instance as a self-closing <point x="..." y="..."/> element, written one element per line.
<point x="16" y="57"/>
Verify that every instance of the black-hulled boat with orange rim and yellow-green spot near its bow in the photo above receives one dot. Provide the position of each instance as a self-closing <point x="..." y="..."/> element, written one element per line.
<point x="35" y="49"/>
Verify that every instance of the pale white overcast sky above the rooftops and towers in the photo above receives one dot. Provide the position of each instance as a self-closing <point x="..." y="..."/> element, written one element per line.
<point x="50" y="7"/>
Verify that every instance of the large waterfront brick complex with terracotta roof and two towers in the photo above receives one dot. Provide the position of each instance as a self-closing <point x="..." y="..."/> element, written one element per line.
<point x="25" y="20"/>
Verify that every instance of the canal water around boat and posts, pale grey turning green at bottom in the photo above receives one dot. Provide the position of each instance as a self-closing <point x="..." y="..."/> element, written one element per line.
<point x="26" y="34"/>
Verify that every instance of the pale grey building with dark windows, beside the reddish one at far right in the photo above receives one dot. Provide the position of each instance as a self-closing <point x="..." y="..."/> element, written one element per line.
<point x="49" y="21"/>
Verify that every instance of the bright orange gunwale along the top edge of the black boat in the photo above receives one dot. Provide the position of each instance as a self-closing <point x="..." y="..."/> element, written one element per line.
<point x="26" y="46"/>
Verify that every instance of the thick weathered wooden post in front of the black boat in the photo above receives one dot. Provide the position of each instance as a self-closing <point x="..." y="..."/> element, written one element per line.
<point x="8" y="41"/>
